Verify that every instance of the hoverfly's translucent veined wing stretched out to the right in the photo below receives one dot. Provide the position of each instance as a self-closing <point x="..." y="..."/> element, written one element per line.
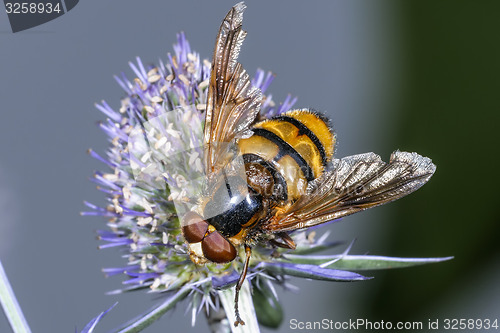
<point x="355" y="183"/>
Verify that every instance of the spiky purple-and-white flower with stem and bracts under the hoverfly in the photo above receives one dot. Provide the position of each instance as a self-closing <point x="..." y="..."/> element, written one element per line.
<point x="155" y="171"/>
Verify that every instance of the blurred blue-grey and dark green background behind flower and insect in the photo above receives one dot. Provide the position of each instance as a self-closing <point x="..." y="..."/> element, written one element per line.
<point x="418" y="76"/>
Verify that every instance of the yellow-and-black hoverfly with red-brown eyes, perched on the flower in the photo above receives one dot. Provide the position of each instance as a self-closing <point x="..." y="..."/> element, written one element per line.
<point x="291" y="180"/>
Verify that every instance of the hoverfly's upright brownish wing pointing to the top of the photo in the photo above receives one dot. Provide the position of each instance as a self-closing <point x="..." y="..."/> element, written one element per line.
<point x="232" y="102"/>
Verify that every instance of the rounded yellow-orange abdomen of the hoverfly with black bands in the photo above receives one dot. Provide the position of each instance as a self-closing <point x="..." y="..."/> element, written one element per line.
<point x="293" y="147"/>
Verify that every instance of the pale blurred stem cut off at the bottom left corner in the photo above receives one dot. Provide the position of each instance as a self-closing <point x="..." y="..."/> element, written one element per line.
<point x="10" y="305"/>
